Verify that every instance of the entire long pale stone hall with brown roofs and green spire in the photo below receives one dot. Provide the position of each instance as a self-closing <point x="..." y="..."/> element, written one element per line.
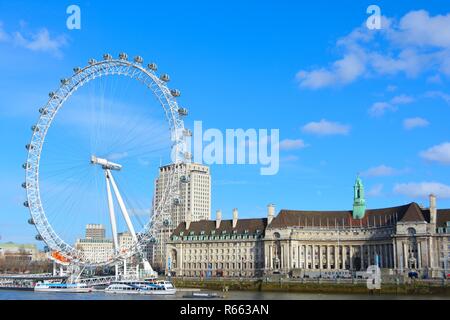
<point x="397" y="239"/>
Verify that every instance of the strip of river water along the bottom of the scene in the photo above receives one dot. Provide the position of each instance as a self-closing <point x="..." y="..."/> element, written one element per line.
<point x="232" y="295"/>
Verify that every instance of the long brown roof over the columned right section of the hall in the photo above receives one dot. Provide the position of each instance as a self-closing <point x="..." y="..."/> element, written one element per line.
<point x="372" y="218"/>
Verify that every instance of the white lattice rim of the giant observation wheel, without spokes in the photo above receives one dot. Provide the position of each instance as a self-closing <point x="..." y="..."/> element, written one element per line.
<point x="81" y="76"/>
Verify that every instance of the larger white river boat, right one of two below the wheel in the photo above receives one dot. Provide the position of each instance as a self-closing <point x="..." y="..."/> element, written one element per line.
<point x="150" y="287"/>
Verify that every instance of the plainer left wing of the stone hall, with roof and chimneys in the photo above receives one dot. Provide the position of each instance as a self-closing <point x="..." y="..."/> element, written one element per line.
<point x="228" y="248"/>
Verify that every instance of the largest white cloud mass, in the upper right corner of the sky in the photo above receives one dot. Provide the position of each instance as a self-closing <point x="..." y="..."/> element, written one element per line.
<point x="417" y="43"/>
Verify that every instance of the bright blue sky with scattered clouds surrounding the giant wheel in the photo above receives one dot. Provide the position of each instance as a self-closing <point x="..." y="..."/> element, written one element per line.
<point x="346" y="100"/>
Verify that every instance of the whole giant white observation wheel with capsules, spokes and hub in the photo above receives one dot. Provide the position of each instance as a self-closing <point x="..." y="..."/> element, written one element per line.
<point x="94" y="152"/>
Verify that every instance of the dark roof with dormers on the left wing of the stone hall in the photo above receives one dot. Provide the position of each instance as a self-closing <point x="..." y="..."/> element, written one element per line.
<point x="243" y="225"/>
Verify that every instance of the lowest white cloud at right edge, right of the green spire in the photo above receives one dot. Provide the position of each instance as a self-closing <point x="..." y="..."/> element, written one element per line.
<point x="423" y="189"/>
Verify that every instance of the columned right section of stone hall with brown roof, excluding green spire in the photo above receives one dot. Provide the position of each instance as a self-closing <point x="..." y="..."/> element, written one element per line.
<point x="400" y="239"/>
